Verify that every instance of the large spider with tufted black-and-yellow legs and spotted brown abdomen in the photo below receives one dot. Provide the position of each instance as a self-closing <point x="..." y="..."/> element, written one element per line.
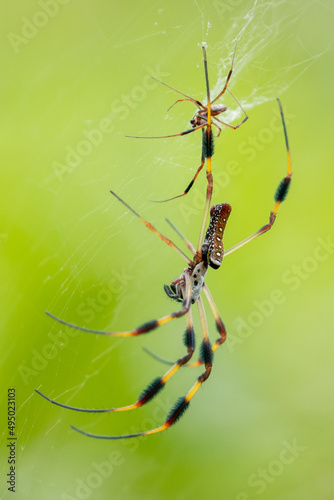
<point x="186" y="289"/>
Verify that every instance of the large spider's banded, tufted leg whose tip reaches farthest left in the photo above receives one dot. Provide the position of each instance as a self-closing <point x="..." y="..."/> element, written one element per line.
<point x="153" y="388"/>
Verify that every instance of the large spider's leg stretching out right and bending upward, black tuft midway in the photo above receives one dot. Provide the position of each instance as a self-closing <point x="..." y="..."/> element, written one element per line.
<point x="280" y="195"/>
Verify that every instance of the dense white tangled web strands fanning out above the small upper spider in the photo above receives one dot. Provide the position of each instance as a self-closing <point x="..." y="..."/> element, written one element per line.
<point x="264" y="31"/>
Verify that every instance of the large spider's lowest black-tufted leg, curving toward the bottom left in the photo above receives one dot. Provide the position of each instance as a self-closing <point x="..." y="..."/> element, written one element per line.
<point x="182" y="403"/>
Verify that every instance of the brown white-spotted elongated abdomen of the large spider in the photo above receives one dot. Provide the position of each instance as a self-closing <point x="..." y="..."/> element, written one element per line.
<point x="212" y="248"/>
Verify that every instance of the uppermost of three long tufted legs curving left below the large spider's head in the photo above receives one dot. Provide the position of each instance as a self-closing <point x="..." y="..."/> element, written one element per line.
<point x="146" y="327"/>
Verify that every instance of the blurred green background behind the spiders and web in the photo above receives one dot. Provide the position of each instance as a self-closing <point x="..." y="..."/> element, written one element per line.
<point x="76" y="80"/>
